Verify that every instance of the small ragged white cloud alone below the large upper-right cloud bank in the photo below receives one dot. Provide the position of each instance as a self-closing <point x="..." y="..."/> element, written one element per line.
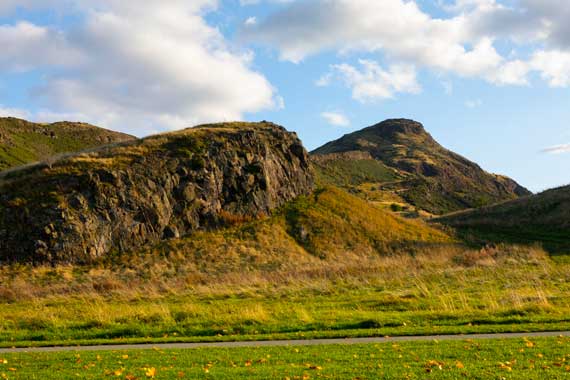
<point x="372" y="82"/>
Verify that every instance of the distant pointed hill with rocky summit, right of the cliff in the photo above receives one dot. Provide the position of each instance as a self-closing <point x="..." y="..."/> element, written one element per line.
<point x="405" y="161"/>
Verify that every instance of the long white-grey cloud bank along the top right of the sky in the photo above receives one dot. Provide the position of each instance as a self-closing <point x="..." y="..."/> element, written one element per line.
<point x="462" y="44"/>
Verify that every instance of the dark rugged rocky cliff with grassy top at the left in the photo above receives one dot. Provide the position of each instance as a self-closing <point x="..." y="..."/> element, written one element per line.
<point x="134" y="195"/>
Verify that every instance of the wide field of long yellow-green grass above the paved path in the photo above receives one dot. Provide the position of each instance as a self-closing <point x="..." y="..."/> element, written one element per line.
<point x="449" y="291"/>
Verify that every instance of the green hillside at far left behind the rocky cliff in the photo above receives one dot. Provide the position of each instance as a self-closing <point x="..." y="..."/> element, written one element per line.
<point x="23" y="142"/>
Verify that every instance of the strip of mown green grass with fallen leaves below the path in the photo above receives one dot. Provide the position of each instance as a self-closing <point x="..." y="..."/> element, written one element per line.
<point x="544" y="358"/>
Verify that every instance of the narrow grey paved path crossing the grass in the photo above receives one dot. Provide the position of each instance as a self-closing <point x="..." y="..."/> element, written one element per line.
<point x="273" y="343"/>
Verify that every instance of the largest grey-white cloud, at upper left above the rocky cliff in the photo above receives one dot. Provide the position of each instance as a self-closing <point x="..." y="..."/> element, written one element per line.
<point x="141" y="69"/>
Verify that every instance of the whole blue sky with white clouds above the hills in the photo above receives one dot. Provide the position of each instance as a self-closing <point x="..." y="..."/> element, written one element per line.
<point x="489" y="79"/>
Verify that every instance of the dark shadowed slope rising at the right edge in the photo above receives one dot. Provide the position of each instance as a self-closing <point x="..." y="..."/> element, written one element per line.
<point x="543" y="218"/>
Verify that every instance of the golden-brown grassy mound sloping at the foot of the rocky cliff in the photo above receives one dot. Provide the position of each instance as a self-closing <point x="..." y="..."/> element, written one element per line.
<point x="326" y="228"/>
